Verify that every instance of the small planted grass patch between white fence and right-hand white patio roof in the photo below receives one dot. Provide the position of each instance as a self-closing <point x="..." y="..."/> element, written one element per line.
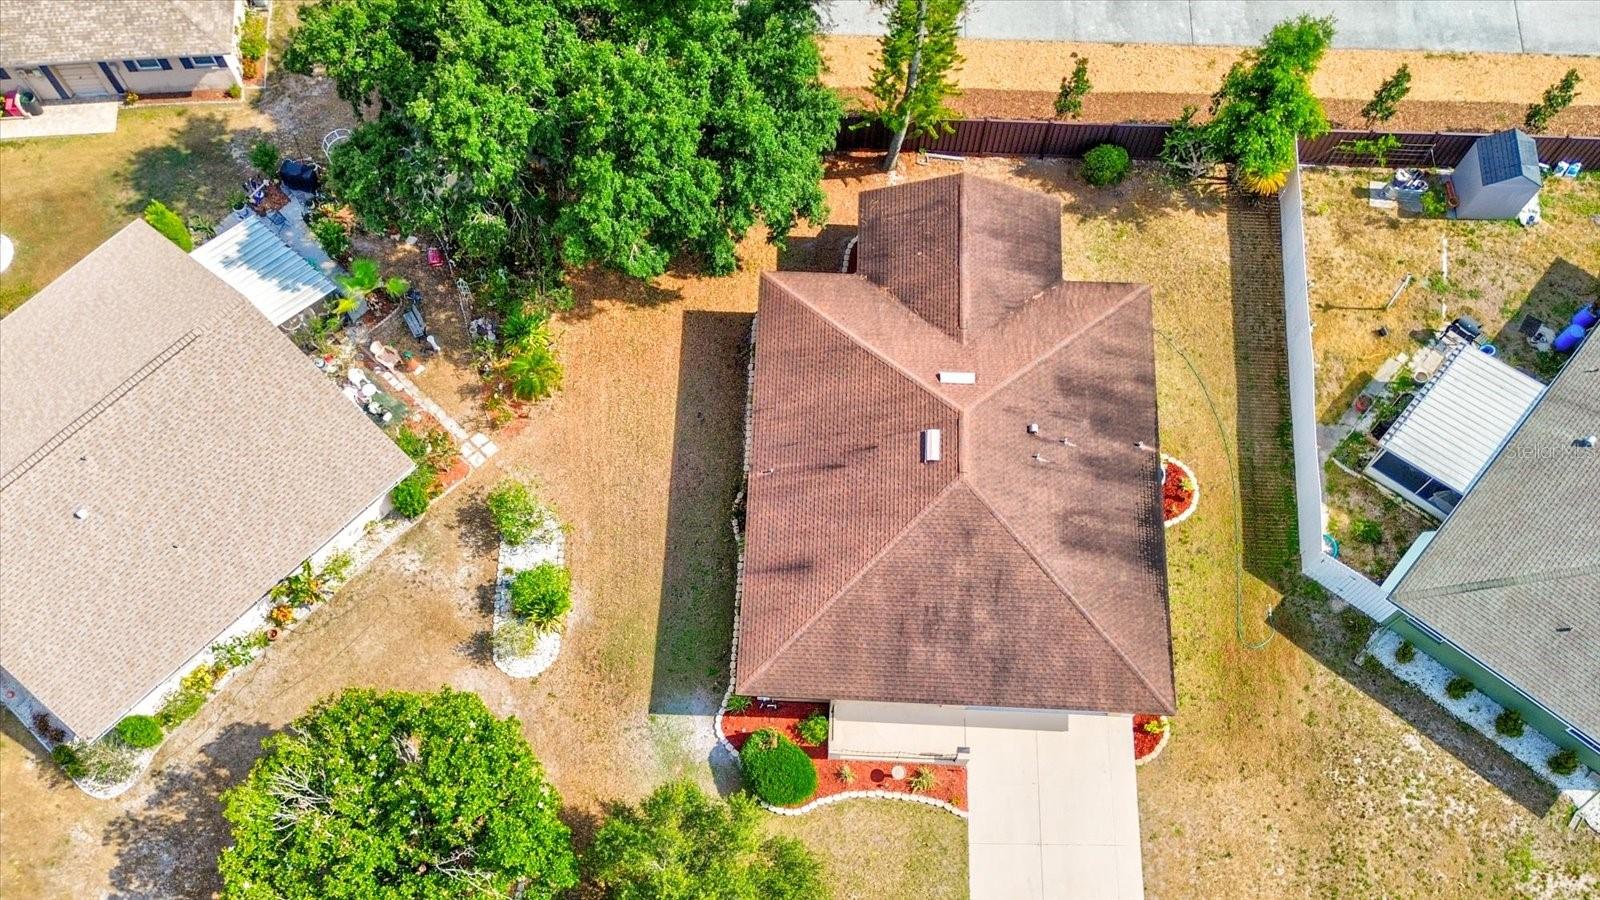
<point x="1359" y="513"/>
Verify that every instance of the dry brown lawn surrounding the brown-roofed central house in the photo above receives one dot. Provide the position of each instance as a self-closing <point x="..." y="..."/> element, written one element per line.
<point x="1292" y="771"/>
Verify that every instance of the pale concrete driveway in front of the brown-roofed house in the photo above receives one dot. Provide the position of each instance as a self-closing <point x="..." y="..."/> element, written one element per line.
<point x="1055" y="811"/>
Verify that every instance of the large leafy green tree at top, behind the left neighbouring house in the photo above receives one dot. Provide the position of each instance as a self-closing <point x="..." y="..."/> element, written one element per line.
<point x="574" y="132"/>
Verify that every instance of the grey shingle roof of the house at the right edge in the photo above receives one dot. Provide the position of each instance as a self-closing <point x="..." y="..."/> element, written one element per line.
<point x="1514" y="574"/>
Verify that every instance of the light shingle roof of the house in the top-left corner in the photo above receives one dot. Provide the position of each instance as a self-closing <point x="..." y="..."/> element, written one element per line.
<point x="86" y="31"/>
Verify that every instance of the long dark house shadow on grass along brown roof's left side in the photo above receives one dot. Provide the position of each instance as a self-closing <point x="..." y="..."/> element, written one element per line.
<point x="695" y="624"/>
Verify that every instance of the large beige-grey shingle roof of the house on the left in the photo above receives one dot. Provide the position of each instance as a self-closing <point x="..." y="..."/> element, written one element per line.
<point x="207" y="454"/>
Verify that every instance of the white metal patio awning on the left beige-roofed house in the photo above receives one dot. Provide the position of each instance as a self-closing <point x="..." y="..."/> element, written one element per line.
<point x="255" y="262"/>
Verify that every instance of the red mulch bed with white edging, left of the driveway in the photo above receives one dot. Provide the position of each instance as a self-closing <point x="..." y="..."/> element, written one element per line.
<point x="870" y="774"/>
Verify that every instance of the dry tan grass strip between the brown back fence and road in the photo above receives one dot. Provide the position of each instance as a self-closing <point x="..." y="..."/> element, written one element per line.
<point x="1038" y="68"/>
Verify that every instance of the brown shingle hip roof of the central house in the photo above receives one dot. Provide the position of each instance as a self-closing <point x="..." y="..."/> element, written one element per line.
<point x="1018" y="571"/>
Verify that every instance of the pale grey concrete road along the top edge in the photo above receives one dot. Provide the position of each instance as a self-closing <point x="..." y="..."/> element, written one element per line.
<point x="1490" y="26"/>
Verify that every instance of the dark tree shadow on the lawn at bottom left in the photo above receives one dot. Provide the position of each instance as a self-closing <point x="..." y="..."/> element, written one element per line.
<point x="167" y="846"/>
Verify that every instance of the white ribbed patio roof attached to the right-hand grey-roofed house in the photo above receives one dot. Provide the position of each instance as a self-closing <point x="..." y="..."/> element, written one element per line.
<point x="1463" y="417"/>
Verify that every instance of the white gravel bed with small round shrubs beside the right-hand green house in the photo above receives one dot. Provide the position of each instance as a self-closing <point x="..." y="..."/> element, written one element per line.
<point x="1478" y="710"/>
